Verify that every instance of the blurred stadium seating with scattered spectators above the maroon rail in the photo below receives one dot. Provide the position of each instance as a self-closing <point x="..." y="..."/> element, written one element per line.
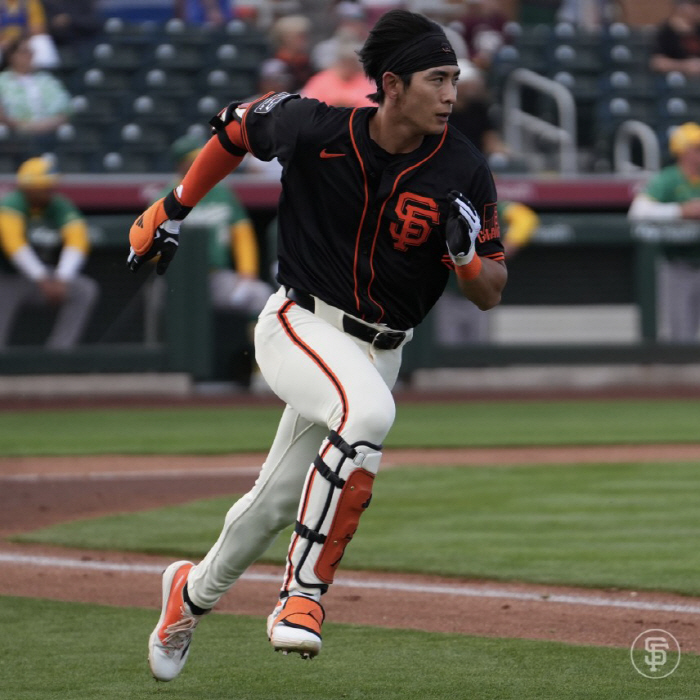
<point x="105" y="85"/>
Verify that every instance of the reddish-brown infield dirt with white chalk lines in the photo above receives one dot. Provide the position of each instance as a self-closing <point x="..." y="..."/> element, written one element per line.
<point x="40" y="491"/>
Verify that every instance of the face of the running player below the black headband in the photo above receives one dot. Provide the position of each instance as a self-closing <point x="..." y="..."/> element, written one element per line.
<point x="429" y="98"/>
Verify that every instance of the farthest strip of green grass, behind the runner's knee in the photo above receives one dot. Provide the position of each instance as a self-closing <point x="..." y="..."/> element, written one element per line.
<point x="200" y="430"/>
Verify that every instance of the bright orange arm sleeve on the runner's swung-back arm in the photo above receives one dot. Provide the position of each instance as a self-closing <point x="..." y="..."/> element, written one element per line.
<point x="212" y="164"/>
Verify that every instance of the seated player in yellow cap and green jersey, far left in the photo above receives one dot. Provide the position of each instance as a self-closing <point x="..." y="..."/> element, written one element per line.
<point x="44" y="243"/>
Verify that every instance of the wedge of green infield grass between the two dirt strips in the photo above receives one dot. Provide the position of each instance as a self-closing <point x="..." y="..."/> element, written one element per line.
<point x="631" y="526"/>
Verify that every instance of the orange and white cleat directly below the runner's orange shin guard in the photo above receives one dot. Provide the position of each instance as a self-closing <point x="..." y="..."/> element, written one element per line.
<point x="295" y="626"/>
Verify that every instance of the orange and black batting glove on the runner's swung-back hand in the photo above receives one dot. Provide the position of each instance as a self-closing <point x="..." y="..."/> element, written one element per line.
<point x="157" y="233"/>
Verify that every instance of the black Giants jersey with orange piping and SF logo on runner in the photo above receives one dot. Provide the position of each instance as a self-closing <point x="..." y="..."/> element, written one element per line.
<point x="360" y="228"/>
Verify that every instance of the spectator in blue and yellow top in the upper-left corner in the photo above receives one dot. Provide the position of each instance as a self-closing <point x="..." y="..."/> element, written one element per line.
<point x="27" y="18"/>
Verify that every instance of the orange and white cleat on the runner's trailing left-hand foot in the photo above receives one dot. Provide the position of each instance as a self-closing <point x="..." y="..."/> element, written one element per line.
<point x="169" y="643"/>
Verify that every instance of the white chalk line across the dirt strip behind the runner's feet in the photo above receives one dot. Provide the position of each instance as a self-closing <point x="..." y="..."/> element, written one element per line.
<point x="427" y="589"/>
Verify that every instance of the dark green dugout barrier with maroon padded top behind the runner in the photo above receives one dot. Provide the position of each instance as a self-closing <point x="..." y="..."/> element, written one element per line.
<point x="582" y="293"/>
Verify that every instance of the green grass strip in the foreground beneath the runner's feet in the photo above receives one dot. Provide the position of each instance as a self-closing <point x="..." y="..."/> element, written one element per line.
<point x="71" y="651"/>
